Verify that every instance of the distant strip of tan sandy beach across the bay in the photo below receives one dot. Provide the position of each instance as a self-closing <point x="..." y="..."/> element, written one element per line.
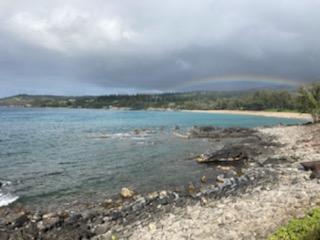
<point x="290" y="115"/>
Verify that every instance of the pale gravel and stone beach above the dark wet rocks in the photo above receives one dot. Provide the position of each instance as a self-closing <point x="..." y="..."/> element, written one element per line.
<point x="260" y="210"/>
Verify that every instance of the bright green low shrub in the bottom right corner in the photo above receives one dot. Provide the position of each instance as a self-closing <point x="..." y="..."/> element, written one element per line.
<point x="307" y="228"/>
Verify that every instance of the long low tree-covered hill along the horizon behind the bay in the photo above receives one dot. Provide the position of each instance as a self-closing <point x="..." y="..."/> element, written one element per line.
<point x="248" y="100"/>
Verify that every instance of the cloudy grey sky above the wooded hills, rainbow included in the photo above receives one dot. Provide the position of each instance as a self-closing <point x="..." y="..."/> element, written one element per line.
<point x="81" y="47"/>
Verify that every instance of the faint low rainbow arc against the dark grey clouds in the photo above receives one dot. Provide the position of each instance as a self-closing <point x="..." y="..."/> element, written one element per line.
<point x="238" y="78"/>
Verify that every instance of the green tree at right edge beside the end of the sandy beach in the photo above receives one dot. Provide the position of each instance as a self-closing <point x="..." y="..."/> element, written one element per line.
<point x="309" y="98"/>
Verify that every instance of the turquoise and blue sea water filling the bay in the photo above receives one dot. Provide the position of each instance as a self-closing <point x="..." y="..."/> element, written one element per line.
<point x="62" y="154"/>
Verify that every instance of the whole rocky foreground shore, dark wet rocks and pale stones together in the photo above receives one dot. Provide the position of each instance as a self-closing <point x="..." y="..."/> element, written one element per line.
<point x="269" y="187"/>
